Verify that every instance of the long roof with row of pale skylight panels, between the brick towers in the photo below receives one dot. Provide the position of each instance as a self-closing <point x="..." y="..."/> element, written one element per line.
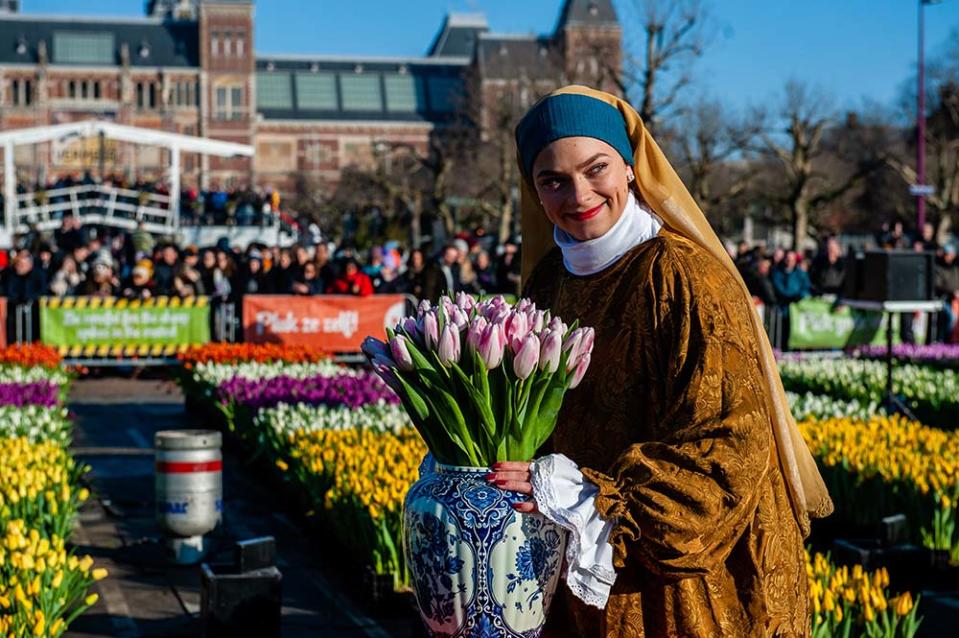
<point x="358" y="89"/>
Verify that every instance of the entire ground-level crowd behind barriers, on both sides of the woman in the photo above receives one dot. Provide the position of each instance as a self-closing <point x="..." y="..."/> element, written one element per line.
<point x="81" y="260"/>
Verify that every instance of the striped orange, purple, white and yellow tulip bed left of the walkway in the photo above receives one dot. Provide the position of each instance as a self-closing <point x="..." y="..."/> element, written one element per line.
<point x="44" y="586"/>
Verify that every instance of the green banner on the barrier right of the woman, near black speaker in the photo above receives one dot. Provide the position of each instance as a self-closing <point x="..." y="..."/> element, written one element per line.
<point x="819" y="324"/>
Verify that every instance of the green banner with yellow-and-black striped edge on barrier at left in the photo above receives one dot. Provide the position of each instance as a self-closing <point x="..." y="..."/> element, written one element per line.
<point x="83" y="321"/>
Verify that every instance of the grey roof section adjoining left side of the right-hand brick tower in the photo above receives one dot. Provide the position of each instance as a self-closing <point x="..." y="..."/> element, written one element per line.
<point x="531" y="57"/>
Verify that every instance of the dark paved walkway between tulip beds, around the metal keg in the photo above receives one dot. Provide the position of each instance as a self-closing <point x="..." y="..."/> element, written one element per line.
<point x="143" y="597"/>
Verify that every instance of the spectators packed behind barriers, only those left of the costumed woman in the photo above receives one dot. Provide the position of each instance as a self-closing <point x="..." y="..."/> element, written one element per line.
<point x="80" y="260"/>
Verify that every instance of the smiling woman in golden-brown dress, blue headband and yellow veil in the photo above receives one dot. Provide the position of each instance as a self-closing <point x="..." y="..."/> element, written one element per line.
<point x="676" y="465"/>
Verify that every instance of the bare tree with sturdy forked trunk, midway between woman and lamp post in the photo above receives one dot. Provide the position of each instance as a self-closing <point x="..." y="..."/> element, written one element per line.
<point x="813" y="171"/>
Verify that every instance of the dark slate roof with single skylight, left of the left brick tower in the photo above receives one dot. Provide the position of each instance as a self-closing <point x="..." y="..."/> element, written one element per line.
<point x="97" y="42"/>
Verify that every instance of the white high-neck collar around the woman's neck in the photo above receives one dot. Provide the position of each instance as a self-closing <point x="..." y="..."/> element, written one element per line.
<point x="636" y="225"/>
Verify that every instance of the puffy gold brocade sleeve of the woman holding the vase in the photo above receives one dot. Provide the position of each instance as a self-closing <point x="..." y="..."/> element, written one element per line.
<point x="683" y="499"/>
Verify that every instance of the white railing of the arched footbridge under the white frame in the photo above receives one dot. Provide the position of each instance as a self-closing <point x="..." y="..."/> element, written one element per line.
<point x="95" y="204"/>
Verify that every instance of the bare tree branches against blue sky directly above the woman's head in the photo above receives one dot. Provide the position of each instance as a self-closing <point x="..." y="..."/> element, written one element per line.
<point x="670" y="35"/>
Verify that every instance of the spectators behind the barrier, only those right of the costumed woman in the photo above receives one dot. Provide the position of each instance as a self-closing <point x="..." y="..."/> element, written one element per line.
<point x="781" y="277"/>
